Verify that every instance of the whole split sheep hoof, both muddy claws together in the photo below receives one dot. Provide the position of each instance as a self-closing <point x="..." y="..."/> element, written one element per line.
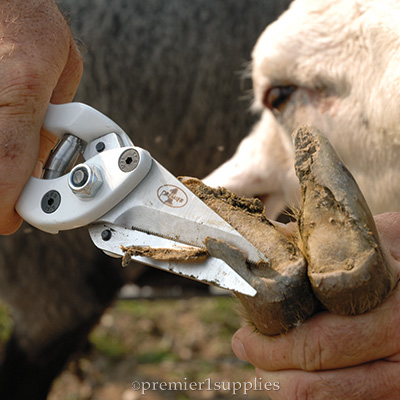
<point x="344" y="266"/>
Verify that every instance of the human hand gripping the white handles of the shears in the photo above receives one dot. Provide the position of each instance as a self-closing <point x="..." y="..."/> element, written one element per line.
<point x="40" y="63"/>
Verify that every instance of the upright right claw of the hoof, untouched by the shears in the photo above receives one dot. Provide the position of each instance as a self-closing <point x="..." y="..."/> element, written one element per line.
<point x="346" y="265"/>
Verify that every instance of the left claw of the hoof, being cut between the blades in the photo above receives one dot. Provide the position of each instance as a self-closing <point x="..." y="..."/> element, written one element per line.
<point x="284" y="297"/>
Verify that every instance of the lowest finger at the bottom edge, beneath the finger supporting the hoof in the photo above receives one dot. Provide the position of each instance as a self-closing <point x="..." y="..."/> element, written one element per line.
<point x="374" y="381"/>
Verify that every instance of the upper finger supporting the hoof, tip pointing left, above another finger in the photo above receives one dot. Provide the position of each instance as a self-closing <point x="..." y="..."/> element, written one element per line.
<point x="325" y="341"/>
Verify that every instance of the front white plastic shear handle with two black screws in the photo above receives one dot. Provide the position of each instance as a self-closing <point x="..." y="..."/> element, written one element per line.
<point x="65" y="210"/>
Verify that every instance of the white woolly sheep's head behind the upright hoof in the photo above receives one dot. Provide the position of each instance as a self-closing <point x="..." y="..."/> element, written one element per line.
<point x="344" y="58"/>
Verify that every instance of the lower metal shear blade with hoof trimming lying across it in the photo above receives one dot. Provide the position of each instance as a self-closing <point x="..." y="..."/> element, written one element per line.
<point x="211" y="271"/>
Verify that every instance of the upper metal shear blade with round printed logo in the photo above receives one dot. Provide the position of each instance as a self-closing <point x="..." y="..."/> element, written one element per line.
<point x="162" y="206"/>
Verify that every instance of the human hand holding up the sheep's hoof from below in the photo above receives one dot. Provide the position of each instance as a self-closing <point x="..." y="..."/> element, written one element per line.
<point x="331" y="356"/>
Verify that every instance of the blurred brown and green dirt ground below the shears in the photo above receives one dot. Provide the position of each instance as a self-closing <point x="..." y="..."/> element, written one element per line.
<point x="157" y="350"/>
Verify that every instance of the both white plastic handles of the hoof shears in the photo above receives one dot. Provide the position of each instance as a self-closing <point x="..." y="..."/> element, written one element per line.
<point x="50" y="204"/>
